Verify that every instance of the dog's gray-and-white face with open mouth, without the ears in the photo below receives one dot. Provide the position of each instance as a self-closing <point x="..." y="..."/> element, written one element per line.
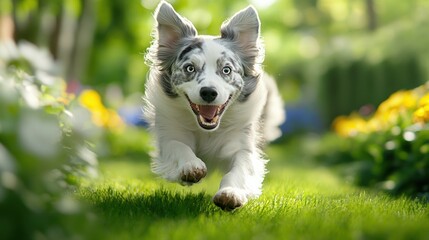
<point x="208" y="75"/>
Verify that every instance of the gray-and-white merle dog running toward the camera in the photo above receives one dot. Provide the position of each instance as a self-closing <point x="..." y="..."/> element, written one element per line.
<point x="209" y="104"/>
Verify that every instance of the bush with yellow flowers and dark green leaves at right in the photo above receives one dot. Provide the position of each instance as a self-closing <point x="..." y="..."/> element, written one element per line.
<point x="389" y="149"/>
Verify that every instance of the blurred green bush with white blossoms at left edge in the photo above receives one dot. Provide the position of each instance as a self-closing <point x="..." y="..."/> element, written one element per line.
<point x="42" y="154"/>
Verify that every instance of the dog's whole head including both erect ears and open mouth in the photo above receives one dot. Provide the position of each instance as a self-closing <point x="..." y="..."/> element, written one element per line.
<point x="209" y="72"/>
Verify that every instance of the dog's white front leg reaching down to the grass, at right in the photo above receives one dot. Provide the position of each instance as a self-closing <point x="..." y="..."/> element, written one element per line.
<point x="243" y="181"/>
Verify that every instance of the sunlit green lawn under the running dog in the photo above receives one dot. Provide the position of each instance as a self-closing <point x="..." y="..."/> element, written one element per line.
<point x="300" y="201"/>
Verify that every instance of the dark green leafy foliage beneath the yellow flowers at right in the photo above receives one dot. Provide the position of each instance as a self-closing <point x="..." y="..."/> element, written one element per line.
<point x="395" y="160"/>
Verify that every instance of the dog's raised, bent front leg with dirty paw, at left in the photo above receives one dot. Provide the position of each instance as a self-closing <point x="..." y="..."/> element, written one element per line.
<point x="177" y="162"/>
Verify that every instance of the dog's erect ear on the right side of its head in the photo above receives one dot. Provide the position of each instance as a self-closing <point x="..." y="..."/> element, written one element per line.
<point x="242" y="28"/>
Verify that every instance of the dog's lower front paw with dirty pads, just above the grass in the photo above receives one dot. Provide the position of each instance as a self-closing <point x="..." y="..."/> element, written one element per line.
<point x="230" y="198"/>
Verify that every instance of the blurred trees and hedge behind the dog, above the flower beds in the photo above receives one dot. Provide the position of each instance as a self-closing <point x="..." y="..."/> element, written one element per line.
<point x="329" y="57"/>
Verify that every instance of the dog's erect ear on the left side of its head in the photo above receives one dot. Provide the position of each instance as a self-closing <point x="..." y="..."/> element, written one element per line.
<point x="171" y="27"/>
